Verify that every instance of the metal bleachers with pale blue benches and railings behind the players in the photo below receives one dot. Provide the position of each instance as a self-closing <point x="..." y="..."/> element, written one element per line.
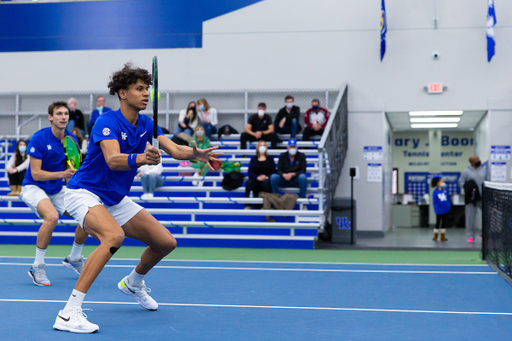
<point x="234" y="107"/>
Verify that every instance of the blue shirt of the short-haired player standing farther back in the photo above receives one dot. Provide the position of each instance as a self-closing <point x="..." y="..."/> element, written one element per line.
<point x="50" y="150"/>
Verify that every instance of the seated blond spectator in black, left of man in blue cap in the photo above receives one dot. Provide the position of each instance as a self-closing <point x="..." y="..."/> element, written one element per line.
<point x="261" y="167"/>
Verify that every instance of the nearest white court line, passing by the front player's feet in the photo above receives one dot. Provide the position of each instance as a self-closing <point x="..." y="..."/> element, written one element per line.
<point x="276" y="307"/>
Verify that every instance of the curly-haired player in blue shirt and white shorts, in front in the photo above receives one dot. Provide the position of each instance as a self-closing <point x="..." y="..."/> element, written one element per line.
<point x="96" y="194"/>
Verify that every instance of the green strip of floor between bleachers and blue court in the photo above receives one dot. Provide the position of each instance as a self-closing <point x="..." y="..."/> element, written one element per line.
<point x="273" y="255"/>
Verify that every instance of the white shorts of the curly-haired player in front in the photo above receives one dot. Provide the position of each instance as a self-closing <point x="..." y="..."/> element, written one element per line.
<point x="78" y="201"/>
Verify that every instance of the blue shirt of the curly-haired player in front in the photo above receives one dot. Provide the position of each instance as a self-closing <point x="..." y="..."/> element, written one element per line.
<point x="95" y="175"/>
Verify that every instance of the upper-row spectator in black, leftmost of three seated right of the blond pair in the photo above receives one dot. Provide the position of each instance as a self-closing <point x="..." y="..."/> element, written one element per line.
<point x="259" y="127"/>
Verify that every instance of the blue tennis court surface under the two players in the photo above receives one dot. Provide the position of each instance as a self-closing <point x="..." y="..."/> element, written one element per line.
<point x="266" y="301"/>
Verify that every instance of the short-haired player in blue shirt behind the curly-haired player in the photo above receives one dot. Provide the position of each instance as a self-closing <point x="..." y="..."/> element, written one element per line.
<point x="43" y="192"/>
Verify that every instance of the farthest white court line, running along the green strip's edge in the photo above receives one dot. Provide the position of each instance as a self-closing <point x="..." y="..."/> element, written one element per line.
<point x="270" y="262"/>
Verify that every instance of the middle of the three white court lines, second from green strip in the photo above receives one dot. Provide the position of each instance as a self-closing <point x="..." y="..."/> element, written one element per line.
<point x="287" y="269"/>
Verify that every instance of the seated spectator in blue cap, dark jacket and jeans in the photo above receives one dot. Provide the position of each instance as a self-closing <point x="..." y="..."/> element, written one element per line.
<point x="291" y="170"/>
